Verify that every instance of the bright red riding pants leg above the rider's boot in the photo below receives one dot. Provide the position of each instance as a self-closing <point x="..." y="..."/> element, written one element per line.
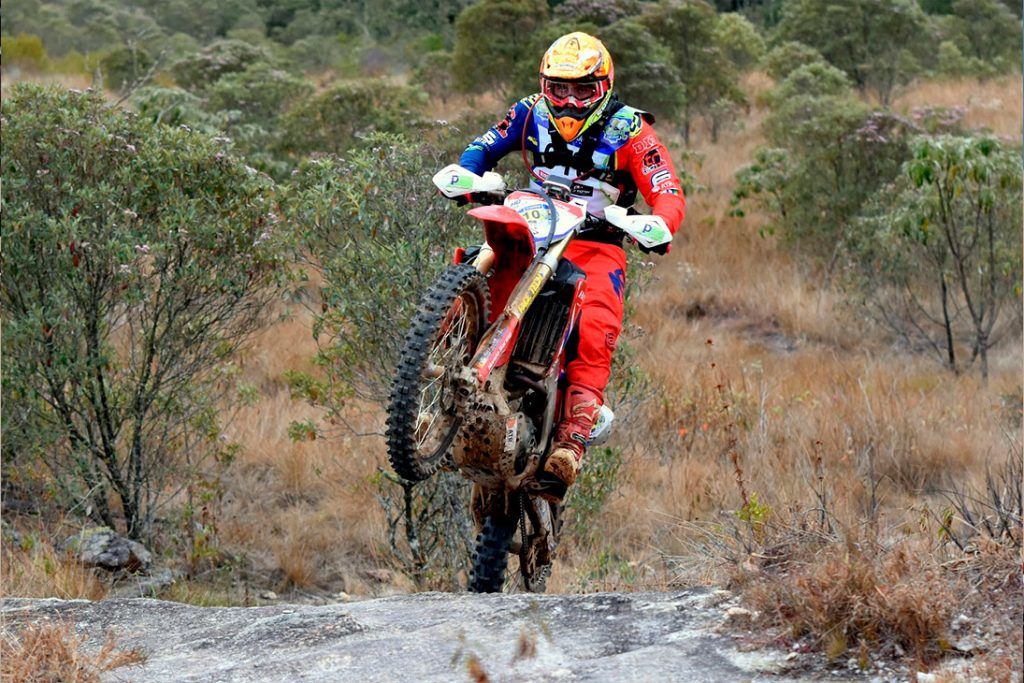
<point x="602" y="319"/>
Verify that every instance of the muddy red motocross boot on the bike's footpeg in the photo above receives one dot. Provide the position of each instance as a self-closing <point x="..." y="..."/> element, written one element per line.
<point x="564" y="463"/>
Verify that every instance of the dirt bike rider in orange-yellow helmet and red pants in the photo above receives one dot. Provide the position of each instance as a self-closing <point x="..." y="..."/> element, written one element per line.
<point x="577" y="129"/>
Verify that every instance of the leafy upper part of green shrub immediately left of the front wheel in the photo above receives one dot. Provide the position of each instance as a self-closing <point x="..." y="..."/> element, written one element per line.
<point x="371" y="226"/>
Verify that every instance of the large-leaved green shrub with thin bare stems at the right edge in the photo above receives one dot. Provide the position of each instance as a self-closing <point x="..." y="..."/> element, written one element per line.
<point x="938" y="257"/>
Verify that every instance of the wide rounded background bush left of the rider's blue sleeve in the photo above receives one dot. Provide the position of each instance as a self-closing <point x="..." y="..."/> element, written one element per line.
<point x="333" y="120"/>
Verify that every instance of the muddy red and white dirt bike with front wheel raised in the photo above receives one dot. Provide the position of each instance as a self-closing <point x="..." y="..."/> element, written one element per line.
<point x="480" y="381"/>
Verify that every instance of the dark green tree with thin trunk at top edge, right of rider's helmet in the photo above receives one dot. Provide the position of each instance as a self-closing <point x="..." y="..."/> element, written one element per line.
<point x="688" y="28"/>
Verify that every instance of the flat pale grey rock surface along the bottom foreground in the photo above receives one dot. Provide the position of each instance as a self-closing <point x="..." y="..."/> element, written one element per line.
<point x="424" y="637"/>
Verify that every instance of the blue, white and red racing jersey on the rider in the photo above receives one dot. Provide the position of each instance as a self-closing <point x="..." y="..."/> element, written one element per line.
<point x="608" y="164"/>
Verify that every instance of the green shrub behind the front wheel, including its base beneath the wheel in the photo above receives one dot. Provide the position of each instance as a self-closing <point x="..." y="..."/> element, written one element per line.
<point x="372" y="227"/>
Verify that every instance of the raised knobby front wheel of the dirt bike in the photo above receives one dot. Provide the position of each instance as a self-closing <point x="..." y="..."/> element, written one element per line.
<point x="422" y="422"/>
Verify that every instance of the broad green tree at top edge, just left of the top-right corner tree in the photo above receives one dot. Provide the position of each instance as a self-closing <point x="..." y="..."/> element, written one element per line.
<point x="878" y="44"/>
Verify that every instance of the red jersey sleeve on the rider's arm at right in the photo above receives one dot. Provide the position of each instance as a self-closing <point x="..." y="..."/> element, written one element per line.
<point x="649" y="163"/>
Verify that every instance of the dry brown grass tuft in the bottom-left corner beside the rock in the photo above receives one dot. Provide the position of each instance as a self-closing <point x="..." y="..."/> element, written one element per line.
<point x="55" y="653"/>
